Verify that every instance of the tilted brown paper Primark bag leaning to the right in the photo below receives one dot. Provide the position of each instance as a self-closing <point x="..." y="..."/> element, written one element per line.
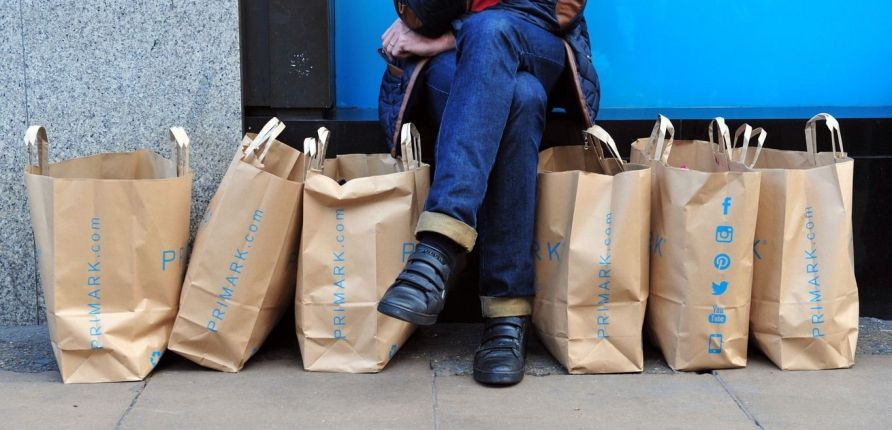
<point x="242" y="270"/>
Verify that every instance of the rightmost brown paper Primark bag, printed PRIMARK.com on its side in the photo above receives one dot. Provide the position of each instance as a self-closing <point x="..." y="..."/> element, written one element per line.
<point x="805" y="298"/>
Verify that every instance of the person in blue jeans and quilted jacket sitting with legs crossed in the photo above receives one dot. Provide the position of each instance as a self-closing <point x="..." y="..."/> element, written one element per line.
<point x="489" y="82"/>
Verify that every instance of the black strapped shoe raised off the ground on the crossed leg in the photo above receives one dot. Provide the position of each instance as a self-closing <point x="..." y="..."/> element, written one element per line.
<point x="419" y="292"/>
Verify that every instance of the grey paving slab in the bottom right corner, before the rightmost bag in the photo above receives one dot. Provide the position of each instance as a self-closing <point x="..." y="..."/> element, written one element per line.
<point x="856" y="398"/>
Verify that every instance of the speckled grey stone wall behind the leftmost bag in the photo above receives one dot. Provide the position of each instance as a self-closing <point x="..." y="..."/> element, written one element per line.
<point x="109" y="75"/>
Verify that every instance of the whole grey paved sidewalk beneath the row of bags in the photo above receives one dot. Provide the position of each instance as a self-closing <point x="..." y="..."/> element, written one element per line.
<point x="428" y="385"/>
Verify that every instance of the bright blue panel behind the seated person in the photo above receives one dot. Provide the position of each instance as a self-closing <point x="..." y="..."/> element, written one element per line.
<point x="683" y="54"/>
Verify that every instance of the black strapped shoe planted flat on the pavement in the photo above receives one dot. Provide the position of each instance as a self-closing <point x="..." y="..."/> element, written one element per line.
<point x="500" y="358"/>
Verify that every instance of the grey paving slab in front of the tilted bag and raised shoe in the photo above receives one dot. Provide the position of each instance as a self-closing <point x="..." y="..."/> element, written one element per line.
<point x="280" y="394"/>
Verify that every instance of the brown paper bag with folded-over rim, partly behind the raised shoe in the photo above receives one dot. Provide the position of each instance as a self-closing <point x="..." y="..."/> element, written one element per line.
<point x="360" y="213"/>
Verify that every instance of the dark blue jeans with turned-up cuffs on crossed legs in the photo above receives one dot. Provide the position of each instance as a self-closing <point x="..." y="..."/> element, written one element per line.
<point x="490" y="96"/>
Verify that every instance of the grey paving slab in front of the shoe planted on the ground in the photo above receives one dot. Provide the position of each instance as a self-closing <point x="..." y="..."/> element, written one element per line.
<point x="583" y="402"/>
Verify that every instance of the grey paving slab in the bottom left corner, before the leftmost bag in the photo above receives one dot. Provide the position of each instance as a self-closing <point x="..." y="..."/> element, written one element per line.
<point x="40" y="400"/>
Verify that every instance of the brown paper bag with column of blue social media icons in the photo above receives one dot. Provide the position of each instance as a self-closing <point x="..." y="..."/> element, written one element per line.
<point x="703" y="219"/>
